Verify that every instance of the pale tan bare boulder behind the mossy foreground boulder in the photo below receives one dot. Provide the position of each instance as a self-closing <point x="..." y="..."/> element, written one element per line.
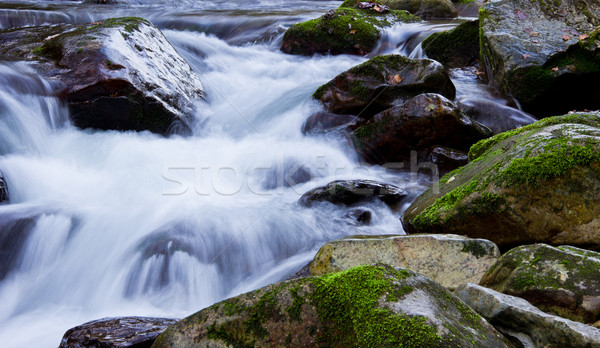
<point x="450" y="260"/>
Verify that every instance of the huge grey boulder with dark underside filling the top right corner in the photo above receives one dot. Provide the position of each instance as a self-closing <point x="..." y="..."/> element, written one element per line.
<point x="543" y="53"/>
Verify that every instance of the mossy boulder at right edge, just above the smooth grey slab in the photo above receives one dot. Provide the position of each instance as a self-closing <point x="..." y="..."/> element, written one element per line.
<point x="561" y="280"/>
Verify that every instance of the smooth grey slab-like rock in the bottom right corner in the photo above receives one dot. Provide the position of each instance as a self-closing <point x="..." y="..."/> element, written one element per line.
<point x="521" y="321"/>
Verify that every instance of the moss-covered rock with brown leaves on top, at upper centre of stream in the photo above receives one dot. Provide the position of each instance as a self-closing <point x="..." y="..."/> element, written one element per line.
<point x="342" y="31"/>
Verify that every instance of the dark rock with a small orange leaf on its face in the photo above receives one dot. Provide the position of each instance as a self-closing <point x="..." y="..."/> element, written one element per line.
<point x="382" y="82"/>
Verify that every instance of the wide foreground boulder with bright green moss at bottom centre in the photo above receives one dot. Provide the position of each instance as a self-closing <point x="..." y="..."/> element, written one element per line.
<point x="366" y="306"/>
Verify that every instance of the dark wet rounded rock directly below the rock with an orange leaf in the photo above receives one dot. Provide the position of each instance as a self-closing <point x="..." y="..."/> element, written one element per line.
<point x="424" y="121"/>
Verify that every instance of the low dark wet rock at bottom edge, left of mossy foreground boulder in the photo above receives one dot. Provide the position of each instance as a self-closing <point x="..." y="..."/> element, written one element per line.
<point x="133" y="332"/>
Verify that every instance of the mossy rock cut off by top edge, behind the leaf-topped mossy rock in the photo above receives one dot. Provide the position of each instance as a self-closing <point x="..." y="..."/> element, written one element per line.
<point x="425" y="9"/>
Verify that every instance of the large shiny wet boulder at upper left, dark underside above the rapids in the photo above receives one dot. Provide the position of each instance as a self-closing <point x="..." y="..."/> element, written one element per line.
<point x="119" y="73"/>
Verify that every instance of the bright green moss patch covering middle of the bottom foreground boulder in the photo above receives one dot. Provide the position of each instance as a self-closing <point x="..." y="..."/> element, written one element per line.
<point x="347" y="302"/>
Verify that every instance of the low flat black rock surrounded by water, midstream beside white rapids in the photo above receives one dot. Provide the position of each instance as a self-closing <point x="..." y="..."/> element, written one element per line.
<point x="350" y="192"/>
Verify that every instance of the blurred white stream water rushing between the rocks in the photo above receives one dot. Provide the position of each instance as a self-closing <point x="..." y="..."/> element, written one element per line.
<point x="112" y="224"/>
